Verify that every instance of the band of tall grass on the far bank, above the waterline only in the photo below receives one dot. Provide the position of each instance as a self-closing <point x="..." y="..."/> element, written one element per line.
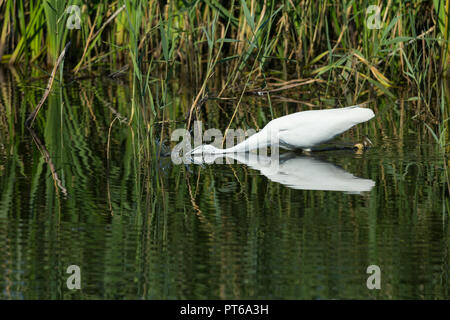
<point x="305" y="34"/>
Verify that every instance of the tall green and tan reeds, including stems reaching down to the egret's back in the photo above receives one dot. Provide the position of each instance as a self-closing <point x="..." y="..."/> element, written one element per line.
<point x="258" y="47"/>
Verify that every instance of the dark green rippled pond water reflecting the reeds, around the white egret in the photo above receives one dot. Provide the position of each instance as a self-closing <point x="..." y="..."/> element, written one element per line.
<point x="156" y="230"/>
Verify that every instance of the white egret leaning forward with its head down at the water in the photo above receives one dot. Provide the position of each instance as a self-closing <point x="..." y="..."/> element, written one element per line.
<point x="300" y="130"/>
